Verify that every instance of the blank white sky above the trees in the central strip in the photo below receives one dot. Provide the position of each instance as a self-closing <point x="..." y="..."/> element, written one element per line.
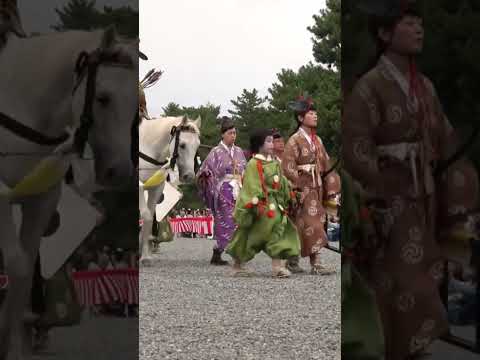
<point x="211" y="50"/>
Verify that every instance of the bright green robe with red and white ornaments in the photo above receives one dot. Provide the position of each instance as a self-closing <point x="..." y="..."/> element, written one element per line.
<point x="261" y="212"/>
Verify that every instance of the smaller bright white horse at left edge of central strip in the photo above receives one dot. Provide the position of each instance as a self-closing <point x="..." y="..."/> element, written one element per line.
<point x="174" y="138"/>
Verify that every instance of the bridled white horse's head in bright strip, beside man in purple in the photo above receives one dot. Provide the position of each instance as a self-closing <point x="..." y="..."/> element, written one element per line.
<point x="183" y="147"/>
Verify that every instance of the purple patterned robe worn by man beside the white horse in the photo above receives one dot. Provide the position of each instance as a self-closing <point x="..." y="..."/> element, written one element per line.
<point x="214" y="178"/>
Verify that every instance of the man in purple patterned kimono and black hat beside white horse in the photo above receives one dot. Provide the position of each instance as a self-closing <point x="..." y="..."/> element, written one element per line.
<point x="219" y="180"/>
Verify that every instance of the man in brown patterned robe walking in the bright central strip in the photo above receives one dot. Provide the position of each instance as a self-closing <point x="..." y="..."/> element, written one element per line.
<point x="304" y="163"/>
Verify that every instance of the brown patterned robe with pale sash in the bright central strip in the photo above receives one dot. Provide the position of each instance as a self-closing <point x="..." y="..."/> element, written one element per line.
<point x="304" y="162"/>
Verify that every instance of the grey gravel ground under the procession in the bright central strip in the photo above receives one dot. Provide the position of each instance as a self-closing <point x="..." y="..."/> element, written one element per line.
<point x="192" y="310"/>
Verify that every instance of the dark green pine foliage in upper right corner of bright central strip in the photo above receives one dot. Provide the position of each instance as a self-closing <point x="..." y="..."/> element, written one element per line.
<point x="327" y="35"/>
